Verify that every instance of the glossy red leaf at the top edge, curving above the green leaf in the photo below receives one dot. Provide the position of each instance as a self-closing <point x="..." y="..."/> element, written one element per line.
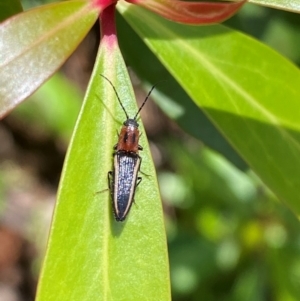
<point x="191" y="12"/>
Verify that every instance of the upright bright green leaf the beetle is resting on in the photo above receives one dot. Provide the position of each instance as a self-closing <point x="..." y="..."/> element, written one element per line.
<point x="90" y="256"/>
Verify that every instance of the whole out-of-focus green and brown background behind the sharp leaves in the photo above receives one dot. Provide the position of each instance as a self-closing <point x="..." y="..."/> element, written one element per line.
<point x="229" y="237"/>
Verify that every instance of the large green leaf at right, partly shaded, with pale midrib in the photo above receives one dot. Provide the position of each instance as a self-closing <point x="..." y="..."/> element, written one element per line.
<point x="248" y="90"/>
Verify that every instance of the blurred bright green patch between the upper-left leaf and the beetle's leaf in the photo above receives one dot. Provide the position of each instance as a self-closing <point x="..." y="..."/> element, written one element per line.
<point x="53" y="108"/>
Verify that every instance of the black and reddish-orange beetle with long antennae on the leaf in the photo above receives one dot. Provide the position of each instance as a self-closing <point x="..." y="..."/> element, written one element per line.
<point x="123" y="179"/>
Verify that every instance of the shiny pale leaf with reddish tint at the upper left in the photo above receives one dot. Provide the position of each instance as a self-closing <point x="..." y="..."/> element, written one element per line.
<point x="34" y="44"/>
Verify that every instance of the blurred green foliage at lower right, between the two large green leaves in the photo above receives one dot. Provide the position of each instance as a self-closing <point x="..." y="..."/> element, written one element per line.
<point x="229" y="238"/>
